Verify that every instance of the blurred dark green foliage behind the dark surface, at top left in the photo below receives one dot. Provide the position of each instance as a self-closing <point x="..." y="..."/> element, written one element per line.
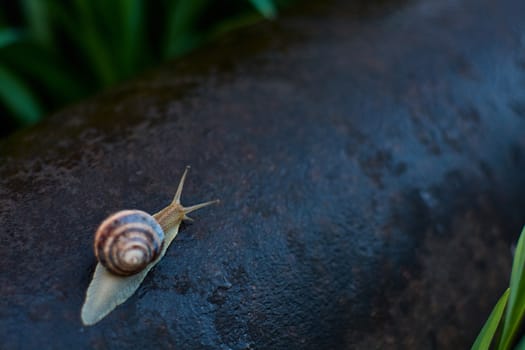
<point x="53" y="52"/>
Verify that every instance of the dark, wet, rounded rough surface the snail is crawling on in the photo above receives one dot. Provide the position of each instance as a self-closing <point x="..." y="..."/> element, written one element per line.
<point x="370" y="163"/>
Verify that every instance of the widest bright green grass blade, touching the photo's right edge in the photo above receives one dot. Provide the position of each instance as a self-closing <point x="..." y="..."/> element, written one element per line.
<point x="516" y="303"/>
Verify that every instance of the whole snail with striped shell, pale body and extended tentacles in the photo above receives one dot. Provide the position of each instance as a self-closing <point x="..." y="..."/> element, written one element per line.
<point x="127" y="245"/>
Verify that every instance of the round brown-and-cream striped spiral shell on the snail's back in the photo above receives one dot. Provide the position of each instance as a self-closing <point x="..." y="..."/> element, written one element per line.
<point x="127" y="241"/>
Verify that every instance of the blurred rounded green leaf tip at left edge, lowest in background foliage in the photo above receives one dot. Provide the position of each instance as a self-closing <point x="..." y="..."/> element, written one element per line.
<point x="17" y="98"/>
